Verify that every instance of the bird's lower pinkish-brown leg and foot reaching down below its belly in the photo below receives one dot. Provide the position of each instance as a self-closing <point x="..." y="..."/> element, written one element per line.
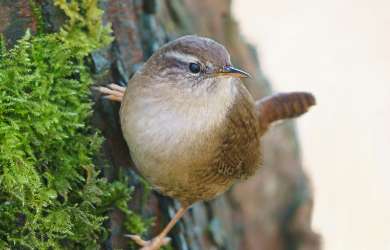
<point x="160" y="239"/>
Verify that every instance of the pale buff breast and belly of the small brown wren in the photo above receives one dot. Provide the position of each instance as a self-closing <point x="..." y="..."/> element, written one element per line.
<point x="171" y="139"/>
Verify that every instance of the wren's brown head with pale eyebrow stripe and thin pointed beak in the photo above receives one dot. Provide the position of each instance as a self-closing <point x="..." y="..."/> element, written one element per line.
<point x="192" y="62"/>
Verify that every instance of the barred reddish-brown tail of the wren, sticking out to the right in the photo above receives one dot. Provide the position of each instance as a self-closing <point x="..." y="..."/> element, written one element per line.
<point x="283" y="106"/>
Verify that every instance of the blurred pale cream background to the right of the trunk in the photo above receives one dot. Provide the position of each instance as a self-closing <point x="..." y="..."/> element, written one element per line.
<point x="339" y="50"/>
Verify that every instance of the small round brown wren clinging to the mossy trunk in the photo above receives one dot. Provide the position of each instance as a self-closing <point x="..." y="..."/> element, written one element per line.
<point x="192" y="127"/>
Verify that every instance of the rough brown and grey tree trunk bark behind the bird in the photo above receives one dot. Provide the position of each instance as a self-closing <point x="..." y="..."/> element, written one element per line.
<point x="272" y="210"/>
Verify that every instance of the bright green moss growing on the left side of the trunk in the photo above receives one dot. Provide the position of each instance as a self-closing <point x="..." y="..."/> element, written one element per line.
<point x="51" y="195"/>
